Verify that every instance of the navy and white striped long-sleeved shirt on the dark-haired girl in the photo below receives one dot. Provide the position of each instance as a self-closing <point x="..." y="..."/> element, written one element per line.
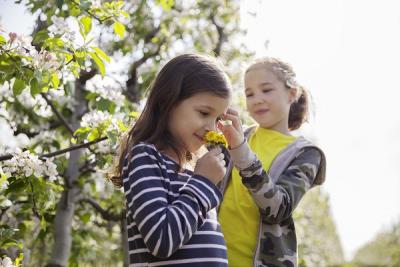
<point x="171" y="216"/>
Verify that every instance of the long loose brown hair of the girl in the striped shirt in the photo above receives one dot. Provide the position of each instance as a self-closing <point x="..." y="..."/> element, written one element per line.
<point x="181" y="78"/>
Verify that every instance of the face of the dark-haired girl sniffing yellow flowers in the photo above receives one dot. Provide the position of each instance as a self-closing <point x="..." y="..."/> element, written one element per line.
<point x="193" y="117"/>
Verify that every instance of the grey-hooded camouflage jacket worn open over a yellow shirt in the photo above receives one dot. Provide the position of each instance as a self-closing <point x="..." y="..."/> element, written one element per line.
<point x="297" y="168"/>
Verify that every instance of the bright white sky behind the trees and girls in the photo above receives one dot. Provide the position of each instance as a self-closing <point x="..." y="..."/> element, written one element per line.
<point x="347" y="53"/>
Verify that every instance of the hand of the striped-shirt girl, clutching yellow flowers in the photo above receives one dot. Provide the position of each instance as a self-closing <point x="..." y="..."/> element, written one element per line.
<point x="211" y="165"/>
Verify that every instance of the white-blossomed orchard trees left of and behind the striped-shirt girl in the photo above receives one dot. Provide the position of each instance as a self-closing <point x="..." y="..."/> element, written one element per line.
<point x="68" y="96"/>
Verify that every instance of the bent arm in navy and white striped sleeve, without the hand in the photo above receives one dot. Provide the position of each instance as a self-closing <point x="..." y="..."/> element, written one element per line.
<point x="165" y="225"/>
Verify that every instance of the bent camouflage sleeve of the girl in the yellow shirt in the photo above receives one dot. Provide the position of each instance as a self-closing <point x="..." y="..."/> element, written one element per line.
<point x="277" y="200"/>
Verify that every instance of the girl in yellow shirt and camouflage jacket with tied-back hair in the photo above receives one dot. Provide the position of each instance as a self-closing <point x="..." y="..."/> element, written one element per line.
<point x="273" y="169"/>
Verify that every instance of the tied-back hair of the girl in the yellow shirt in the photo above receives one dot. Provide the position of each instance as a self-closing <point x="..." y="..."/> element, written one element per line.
<point x="298" y="113"/>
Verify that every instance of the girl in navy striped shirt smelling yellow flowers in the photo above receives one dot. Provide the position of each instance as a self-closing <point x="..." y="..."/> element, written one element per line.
<point x="170" y="206"/>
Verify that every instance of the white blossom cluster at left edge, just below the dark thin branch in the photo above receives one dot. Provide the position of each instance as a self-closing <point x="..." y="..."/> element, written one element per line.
<point x="26" y="164"/>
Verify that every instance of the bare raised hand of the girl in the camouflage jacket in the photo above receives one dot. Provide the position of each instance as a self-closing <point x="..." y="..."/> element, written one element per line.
<point x="234" y="132"/>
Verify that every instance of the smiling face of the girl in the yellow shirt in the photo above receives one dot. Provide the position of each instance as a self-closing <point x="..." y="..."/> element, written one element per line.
<point x="268" y="99"/>
